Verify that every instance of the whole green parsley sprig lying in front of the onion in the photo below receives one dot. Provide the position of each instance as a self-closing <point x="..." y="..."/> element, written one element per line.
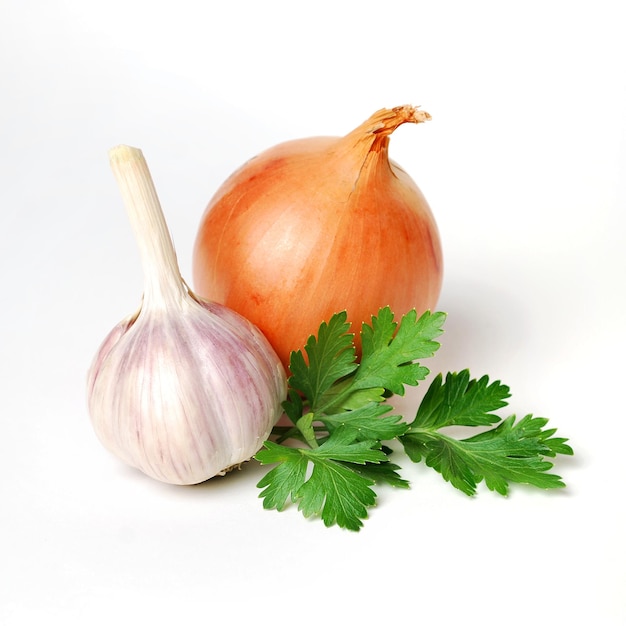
<point x="340" y="420"/>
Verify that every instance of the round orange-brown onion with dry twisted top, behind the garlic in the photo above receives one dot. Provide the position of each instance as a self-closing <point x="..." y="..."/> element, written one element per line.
<point x="319" y="225"/>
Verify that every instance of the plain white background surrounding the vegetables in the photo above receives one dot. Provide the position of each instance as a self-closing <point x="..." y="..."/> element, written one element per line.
<point x="524" y="165"/>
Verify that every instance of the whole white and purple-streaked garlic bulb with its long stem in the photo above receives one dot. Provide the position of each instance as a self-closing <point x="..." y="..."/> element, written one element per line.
<point x="183" y="389"/>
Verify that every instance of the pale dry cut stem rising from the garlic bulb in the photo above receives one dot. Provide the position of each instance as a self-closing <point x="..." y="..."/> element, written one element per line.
<point x="163" y="283"/>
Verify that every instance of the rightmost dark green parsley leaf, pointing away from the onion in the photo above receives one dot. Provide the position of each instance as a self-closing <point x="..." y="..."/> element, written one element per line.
<point x="510" y="452"/>
